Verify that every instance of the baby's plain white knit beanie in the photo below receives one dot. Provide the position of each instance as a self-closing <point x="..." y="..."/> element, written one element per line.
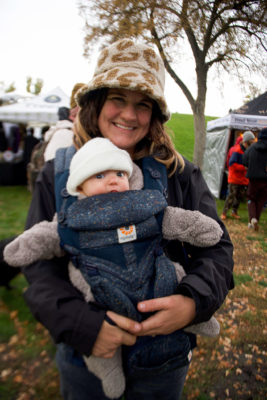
<point x="96" y="155"/>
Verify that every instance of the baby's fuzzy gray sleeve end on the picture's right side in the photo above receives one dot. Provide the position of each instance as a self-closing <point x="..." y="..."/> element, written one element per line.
<point x="190" y="226"/>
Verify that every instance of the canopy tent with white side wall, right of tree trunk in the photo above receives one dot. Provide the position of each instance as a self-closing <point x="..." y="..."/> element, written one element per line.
<point x="222" y="134"/>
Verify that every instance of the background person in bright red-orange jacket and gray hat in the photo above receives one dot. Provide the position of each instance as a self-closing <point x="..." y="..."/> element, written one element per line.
<point x="237" y="179"/>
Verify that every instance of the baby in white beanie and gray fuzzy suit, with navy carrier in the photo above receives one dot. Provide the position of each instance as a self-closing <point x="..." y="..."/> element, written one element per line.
<point x="109" y="217"/>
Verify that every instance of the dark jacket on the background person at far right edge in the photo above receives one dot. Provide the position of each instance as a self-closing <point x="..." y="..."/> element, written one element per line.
<point x="255" y="159"/>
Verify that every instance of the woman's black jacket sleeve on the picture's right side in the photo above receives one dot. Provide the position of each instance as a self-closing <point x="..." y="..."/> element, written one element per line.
<point x="209" y="269"/>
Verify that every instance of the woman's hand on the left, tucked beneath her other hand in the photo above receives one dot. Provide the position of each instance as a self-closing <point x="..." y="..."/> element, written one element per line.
<point x="111" y="337"/>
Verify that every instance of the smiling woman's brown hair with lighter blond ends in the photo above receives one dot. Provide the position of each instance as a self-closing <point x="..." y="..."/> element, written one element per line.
<point x="156" y="143"/>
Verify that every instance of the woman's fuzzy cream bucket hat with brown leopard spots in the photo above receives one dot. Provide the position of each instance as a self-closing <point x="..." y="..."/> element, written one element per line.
<point x="129" y="65"/>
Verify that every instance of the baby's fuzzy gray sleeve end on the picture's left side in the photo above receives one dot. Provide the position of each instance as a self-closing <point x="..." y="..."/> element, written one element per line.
<point x="39" y="242"/>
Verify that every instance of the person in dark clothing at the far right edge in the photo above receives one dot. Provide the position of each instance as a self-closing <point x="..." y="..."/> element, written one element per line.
<point x="255" y="160"/>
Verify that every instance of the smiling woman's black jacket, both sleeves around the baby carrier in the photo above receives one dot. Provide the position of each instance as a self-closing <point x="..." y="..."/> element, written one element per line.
<point x="61" y="308"/>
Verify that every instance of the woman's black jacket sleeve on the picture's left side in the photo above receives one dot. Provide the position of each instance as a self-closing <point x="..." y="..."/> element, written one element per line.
<point x="51" y="297"/>
